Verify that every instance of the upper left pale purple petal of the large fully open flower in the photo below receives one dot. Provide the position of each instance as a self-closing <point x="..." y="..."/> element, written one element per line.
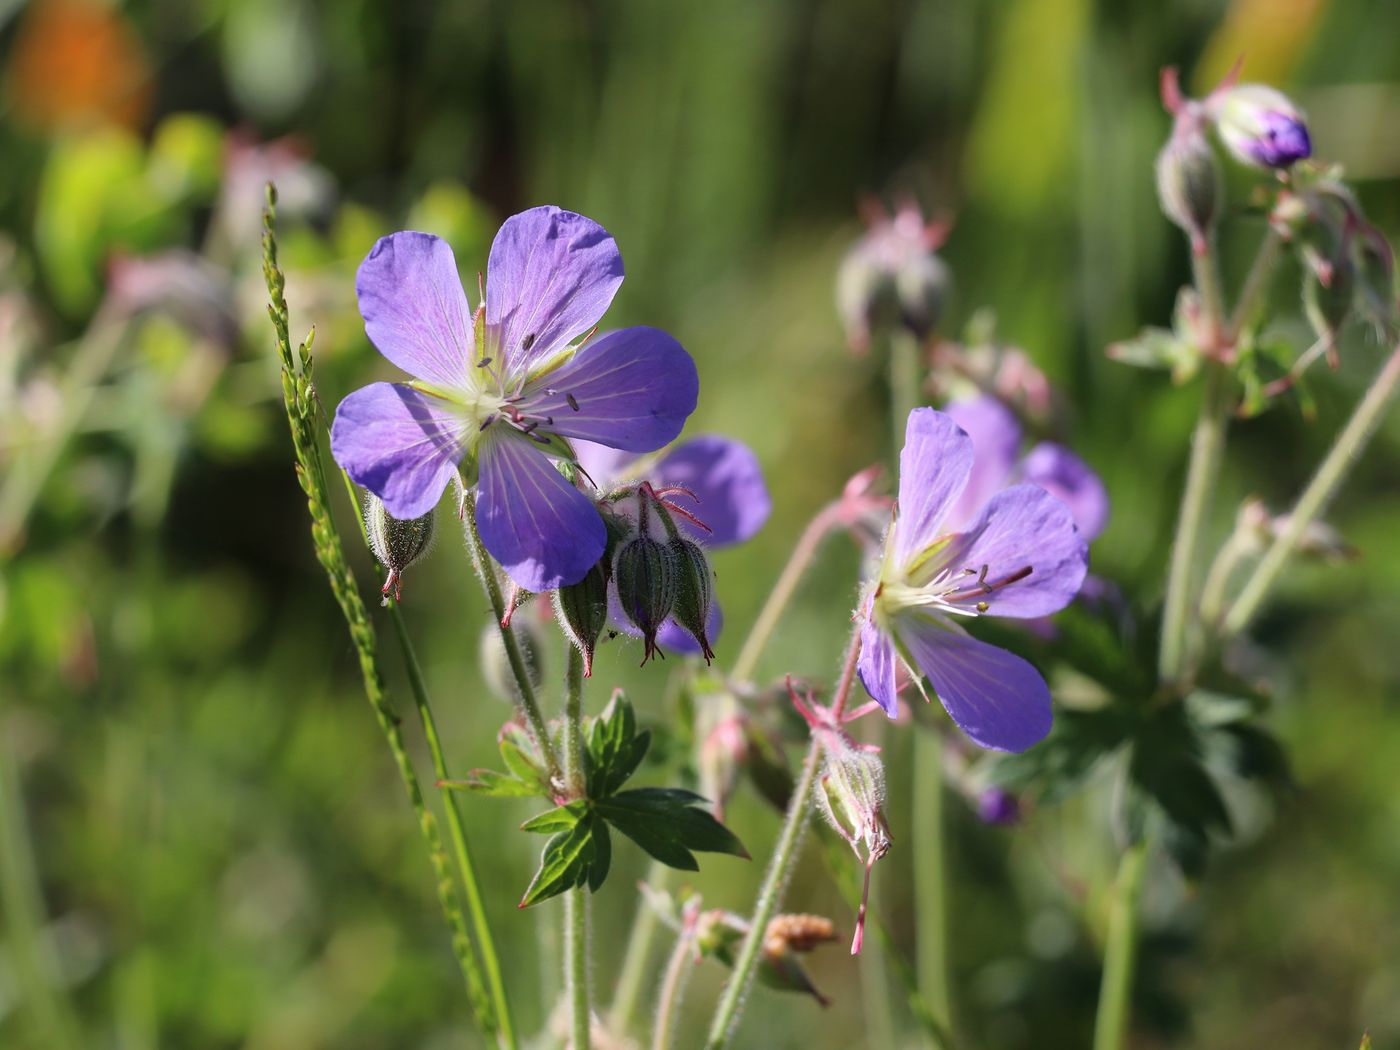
<point x="415" y="310"/>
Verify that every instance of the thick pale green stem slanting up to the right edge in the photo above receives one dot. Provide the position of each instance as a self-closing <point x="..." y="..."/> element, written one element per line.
<point x="1324" y="486"/>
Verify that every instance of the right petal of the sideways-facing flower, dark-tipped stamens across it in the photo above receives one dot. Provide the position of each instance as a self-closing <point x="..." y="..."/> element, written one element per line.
<point x="1021" y="528"/>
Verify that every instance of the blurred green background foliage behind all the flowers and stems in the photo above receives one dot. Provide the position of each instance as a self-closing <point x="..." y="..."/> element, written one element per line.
<point x="202" y="838"/>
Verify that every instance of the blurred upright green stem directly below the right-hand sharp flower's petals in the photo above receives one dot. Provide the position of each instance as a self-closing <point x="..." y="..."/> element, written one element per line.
<point x="932" y="867"/>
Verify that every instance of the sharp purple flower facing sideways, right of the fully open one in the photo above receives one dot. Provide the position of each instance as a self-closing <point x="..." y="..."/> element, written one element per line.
<point x="1018" y="556"/>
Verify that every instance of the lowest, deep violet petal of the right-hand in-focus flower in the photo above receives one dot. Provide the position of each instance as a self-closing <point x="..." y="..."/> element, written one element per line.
<point x="995" y="696"/>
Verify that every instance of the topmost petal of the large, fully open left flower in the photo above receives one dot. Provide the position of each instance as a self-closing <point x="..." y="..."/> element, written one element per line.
<point x="551" y="278"/>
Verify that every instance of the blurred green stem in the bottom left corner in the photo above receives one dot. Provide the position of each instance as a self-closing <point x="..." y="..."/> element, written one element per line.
<point x="22" y="904"/>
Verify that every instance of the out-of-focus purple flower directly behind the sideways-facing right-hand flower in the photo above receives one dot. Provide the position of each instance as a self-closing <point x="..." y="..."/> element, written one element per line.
<point x="997" y="463"/>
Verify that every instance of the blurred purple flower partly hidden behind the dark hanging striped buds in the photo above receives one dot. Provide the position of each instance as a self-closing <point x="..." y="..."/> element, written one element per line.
<point x="717" y="479"/>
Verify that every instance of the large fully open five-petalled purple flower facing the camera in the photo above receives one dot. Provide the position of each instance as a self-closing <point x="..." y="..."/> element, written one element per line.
<point x="506" y="387"/>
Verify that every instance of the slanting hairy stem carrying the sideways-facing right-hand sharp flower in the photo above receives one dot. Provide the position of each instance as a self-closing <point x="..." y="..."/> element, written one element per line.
<point x="775" y="881"/>
